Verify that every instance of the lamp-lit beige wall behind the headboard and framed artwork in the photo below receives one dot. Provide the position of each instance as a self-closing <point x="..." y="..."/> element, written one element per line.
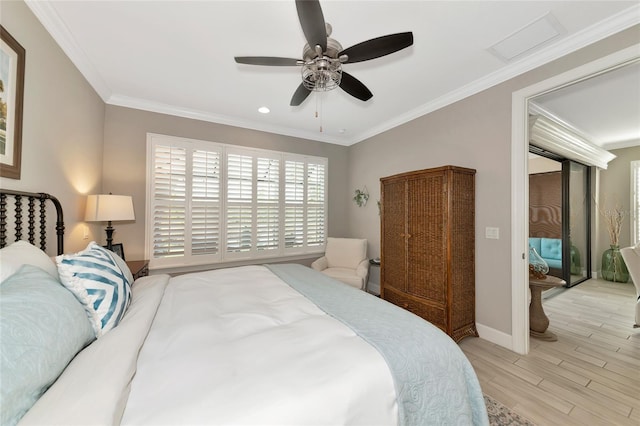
<point x="63" y="123"/>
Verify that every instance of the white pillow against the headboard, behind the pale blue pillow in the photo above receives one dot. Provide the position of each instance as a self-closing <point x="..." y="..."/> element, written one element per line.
<point x="13" y="256"/>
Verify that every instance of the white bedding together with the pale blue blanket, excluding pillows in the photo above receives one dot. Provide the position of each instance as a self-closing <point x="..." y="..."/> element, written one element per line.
<point x="242" y="346"/>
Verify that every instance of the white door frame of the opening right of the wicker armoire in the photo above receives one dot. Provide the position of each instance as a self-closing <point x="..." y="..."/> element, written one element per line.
<point x="520" y="187"/>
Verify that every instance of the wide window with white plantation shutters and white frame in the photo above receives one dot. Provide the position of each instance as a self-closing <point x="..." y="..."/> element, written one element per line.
<point x="211" y="202"/>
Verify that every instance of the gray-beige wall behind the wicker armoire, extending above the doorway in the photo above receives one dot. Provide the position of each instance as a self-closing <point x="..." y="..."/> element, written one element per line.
<point x="474" y="132"/>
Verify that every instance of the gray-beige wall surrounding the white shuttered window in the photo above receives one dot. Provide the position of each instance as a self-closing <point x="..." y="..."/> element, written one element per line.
<point x="125" y="139"/>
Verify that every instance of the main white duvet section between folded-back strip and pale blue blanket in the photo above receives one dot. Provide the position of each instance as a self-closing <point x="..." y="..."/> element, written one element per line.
<point x="224" y="350"/>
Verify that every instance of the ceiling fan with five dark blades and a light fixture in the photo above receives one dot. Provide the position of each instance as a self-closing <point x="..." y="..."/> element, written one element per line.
<point x="323" y="56"/>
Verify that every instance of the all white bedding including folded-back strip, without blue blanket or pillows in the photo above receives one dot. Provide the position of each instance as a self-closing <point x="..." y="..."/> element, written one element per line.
<point x="222" y="350"/>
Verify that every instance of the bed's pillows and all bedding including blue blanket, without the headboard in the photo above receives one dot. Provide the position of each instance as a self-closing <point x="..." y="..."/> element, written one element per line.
<point x="277" y="344"/>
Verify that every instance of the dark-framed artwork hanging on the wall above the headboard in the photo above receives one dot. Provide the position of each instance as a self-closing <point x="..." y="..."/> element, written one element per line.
<point x="12" y="59"/>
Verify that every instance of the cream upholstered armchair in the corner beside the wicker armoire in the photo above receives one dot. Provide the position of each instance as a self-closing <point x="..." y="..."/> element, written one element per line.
<point x="345" y="260"/>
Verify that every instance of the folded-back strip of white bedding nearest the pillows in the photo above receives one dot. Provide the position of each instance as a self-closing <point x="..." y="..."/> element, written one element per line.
<point x="93" y="389"/>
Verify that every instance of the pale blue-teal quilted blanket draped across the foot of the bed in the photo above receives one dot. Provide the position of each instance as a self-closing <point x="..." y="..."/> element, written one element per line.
<point x="435" y="383"/>
